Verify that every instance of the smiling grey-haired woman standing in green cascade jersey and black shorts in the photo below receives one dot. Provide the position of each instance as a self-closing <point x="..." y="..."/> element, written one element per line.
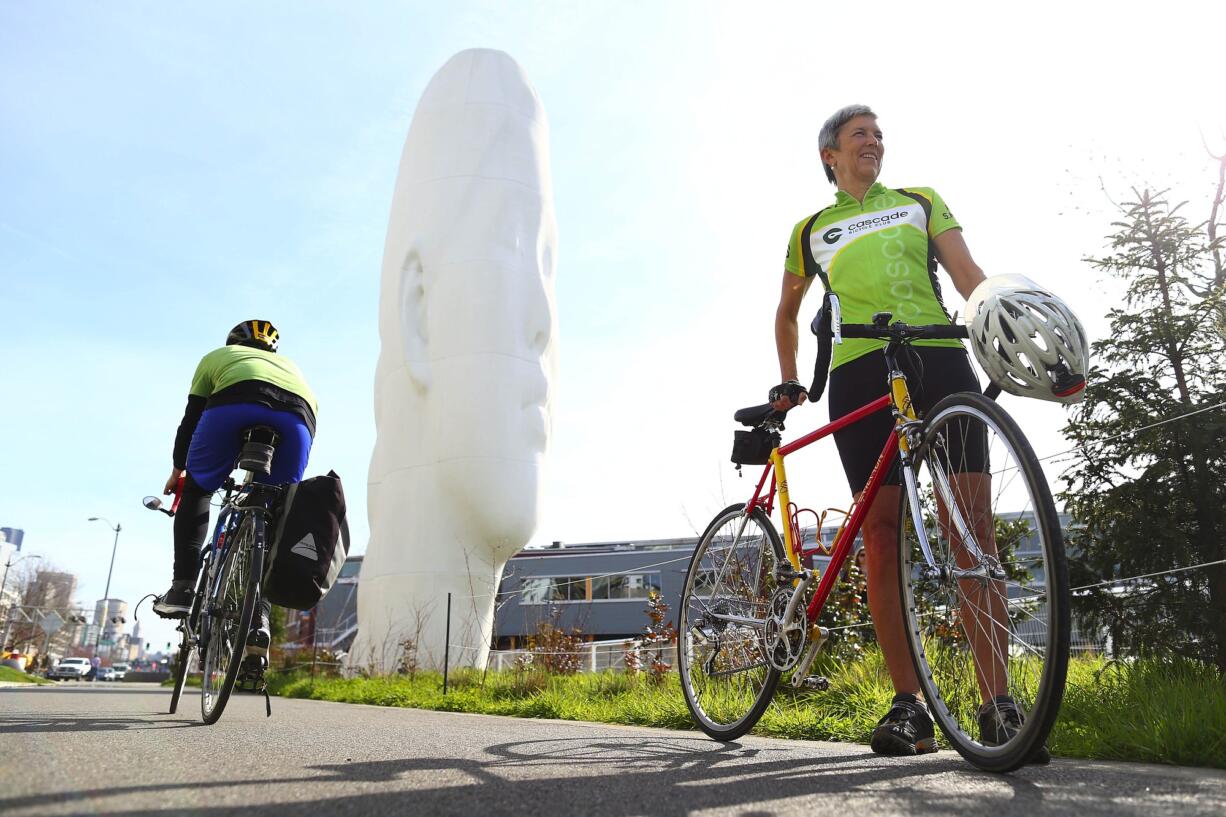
<point x="877" y="250"/>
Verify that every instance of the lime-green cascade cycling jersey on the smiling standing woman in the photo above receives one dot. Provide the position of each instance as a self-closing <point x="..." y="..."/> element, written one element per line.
<point x="877" y="256"/>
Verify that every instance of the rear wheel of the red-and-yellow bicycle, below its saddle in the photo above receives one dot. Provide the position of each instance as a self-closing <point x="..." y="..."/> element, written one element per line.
<point x="696" y="630"/>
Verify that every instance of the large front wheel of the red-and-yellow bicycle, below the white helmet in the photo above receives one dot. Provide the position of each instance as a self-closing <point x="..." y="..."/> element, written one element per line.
<point x="1021" y="626"/>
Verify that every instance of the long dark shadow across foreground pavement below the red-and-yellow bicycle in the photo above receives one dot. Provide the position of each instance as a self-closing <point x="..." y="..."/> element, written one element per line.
<point x="625" y="776"/>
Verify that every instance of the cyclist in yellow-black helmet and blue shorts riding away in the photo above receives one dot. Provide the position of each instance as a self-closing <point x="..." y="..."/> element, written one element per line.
<point x="242" y="385"/>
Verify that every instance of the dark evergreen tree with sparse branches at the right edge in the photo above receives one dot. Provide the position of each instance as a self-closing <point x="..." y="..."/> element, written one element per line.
<point x="1149" y="497"/>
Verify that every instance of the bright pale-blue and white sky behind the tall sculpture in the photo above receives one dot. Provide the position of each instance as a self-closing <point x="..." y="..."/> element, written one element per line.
<point x="167" y="171"/>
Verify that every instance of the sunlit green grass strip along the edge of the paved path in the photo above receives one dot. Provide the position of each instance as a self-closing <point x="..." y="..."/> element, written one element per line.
<point x="1151" y="711"/>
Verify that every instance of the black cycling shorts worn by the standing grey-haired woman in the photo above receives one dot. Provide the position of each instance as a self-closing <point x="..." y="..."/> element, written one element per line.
<point x="932" y="375"/>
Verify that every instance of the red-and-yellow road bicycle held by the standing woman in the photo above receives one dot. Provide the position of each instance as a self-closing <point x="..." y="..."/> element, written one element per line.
<point x="983" y="573"/>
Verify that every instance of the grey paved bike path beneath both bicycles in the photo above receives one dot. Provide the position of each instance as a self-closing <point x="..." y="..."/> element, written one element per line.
<point x="112" y="749"/>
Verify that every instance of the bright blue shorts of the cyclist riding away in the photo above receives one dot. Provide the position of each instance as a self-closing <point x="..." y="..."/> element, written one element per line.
<point x="219" y="440"/>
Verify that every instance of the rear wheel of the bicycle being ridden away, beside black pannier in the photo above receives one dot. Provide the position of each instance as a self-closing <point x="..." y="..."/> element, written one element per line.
<point x="226" y="642"/>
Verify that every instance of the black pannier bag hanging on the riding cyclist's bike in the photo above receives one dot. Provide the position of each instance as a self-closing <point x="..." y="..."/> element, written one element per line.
<point x="310" y="547"/>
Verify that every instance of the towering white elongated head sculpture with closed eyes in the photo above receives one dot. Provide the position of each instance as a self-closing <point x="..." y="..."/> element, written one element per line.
<point x="468" y="359"/>
